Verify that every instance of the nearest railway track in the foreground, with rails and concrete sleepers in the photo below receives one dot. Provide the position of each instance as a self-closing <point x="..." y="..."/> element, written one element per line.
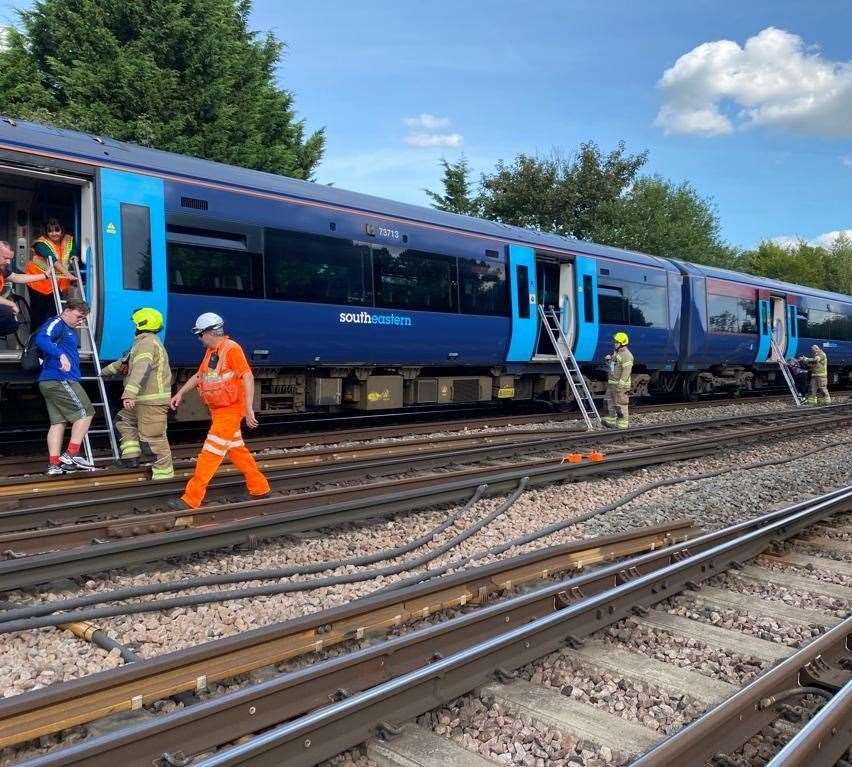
<point x="305" y="716"/>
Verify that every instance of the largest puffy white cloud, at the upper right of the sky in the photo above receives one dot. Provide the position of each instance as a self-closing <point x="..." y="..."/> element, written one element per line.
<point x="773" y="80"/>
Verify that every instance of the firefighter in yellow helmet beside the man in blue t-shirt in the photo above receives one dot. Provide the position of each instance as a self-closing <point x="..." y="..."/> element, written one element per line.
<point x="146" y="395"/>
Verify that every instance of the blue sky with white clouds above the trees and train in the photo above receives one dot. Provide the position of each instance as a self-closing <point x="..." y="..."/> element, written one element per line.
<point x="762" y="123"/>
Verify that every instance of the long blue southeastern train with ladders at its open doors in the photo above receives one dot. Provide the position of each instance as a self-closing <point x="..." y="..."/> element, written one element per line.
<point x="344" y="300"/>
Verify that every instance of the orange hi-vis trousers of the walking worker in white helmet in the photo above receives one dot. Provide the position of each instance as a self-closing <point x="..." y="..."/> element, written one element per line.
<point x="224" y="438"/>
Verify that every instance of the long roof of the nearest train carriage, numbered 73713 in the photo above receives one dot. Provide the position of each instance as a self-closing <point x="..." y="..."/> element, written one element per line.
<point x="103" y="151"/>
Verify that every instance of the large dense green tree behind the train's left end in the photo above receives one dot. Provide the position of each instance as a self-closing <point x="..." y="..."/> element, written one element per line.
<point x="186" y="76"/>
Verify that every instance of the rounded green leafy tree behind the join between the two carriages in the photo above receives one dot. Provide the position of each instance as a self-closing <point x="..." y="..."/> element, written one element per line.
<point x="665" y="219"/>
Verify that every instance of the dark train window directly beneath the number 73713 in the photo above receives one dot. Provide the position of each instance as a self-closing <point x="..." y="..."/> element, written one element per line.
<point x="413" y="279"/>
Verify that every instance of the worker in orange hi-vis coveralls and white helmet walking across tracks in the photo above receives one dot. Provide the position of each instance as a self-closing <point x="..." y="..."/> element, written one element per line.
<point x="226" y="385"/>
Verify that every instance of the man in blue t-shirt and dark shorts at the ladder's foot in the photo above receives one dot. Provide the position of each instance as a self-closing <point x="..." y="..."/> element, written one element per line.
<point x="59" y="384"/>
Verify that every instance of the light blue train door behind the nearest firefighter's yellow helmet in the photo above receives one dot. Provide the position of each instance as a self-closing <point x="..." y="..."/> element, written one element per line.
<point x="133" y="233"/>
